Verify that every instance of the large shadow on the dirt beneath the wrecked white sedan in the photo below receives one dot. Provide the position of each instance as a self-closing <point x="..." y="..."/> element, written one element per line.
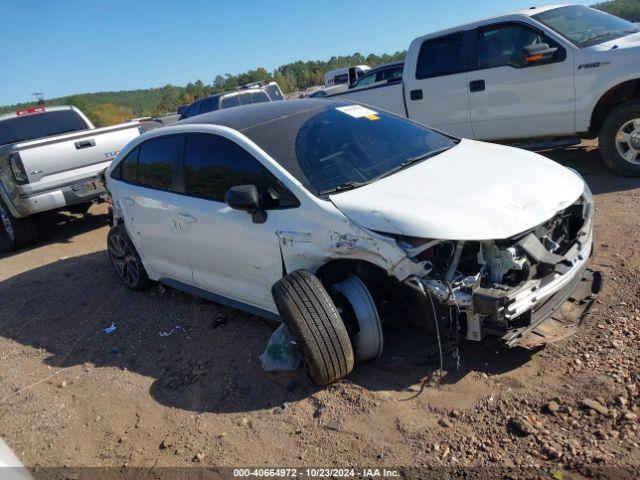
<point x="210" y="363"/>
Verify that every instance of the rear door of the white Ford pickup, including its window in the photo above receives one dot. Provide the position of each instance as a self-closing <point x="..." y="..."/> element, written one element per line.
<point x="436" y="88"/>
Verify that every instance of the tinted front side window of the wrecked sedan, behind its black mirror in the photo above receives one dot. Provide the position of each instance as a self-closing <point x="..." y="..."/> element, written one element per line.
<point x="213" y="164"/>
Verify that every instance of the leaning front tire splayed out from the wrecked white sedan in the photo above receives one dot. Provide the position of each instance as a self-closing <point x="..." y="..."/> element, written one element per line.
<point x="311" y="316"/>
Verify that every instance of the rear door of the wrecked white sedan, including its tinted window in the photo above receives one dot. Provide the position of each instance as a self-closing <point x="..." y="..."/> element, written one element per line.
<point x="152" y="208"/>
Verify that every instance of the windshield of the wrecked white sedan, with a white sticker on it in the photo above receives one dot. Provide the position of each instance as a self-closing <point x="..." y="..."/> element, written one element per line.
<point x="343" y="145"/>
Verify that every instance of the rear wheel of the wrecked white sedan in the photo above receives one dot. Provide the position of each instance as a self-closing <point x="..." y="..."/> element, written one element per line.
<point x="126" y="261"/>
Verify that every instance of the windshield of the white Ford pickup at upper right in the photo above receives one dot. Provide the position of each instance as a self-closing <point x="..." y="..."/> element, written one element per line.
<point x="585" y="26"/>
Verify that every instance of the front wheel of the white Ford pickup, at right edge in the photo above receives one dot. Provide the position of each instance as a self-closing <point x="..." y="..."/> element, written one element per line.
<point x="620" y="139"/>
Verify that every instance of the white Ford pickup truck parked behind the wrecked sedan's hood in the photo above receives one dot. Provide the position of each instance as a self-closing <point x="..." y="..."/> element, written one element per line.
<point x="545" y="76"/>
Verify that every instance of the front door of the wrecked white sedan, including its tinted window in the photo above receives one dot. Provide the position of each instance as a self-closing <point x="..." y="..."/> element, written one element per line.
<point x="231" y="254"/>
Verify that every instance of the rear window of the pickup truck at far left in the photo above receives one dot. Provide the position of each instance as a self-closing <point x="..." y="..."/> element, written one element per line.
<point x="40" y="125"/>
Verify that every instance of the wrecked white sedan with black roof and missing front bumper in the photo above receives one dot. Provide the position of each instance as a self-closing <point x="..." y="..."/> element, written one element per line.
<point x="336" y="218"/>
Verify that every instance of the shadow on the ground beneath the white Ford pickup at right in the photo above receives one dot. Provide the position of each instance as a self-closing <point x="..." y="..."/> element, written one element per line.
<point x="587" y="160"/>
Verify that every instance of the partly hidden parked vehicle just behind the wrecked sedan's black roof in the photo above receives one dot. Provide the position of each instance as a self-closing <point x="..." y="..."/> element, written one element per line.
<point x="246" y="95"/>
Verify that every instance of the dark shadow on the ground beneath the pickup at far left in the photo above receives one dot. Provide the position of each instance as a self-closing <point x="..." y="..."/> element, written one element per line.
<point x="58" y="227"/>
